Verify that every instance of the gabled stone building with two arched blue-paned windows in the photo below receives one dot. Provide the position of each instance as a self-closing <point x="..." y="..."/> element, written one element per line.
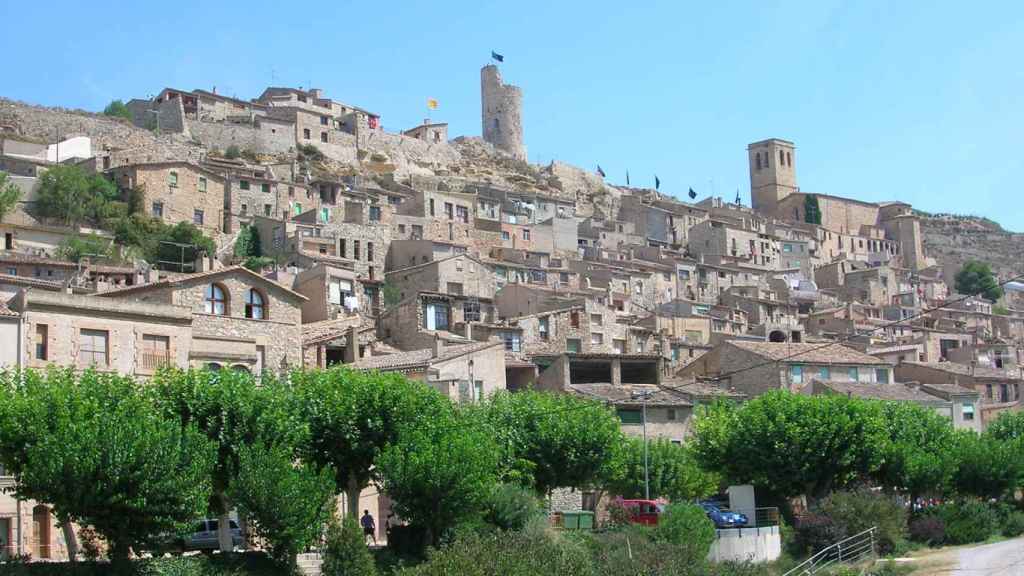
<point x="240" y="320"/>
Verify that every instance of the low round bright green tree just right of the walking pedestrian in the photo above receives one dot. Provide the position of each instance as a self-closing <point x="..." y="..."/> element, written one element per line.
<point x="440" y="472"/>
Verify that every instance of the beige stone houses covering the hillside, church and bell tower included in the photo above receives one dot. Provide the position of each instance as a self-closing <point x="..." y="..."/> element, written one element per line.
<point x="654" y="306"/>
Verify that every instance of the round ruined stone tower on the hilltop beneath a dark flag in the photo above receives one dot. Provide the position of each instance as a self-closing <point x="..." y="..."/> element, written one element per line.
<point x="501" y="107"/>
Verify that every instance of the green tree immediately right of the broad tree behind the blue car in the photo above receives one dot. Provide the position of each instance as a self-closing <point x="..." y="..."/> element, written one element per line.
<point x="917" y="459"/>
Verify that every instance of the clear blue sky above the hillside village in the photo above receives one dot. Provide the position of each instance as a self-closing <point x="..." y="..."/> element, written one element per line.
<point x="886" y="101"/>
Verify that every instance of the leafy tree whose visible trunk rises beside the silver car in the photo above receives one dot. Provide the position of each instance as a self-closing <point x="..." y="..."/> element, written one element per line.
<point x="234" y="412"/>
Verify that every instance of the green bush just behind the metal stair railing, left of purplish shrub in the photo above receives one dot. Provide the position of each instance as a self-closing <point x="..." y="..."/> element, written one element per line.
<point x="857" y="512"/>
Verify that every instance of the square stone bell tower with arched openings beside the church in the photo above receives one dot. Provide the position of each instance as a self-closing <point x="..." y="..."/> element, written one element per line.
<point x="774" y="174"/>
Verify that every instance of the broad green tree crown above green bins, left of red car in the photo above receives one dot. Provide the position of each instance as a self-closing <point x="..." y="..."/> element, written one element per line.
<point x="551" y="440"/>
